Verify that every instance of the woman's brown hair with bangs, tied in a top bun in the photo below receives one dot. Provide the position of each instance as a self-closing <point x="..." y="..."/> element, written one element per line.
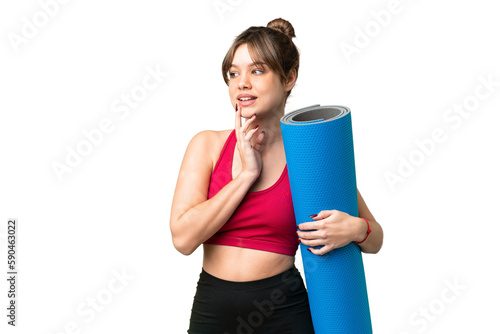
<point x="272" y="45"/>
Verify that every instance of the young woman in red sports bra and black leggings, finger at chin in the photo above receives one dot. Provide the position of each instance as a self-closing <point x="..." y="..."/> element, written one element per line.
<point x="233" y="196"/>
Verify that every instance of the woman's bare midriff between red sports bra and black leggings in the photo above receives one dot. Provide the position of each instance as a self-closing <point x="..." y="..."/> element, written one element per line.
<point x="243" y="264"/>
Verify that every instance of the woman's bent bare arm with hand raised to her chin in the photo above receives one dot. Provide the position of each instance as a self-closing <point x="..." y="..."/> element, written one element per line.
<point x="194" y="218"/>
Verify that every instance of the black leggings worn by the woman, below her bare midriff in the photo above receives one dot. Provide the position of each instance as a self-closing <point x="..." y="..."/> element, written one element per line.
<point x="276" y="304"/>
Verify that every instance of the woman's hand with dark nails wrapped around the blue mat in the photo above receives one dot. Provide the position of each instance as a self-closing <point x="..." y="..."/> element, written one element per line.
<point x="333" y="229"/>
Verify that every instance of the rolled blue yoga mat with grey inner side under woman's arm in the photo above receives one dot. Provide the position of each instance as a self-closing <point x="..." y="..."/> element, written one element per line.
<point x="320" y="157"/>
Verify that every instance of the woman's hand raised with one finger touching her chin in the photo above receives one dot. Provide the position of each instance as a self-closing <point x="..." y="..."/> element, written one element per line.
<point x="251" y="159"/>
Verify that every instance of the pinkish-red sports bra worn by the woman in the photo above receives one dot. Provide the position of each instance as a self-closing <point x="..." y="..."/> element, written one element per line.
<point x="264" y="220"/>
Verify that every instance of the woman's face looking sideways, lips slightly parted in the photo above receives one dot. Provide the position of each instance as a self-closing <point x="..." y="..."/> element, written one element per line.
<point x="255" y="87"/>
